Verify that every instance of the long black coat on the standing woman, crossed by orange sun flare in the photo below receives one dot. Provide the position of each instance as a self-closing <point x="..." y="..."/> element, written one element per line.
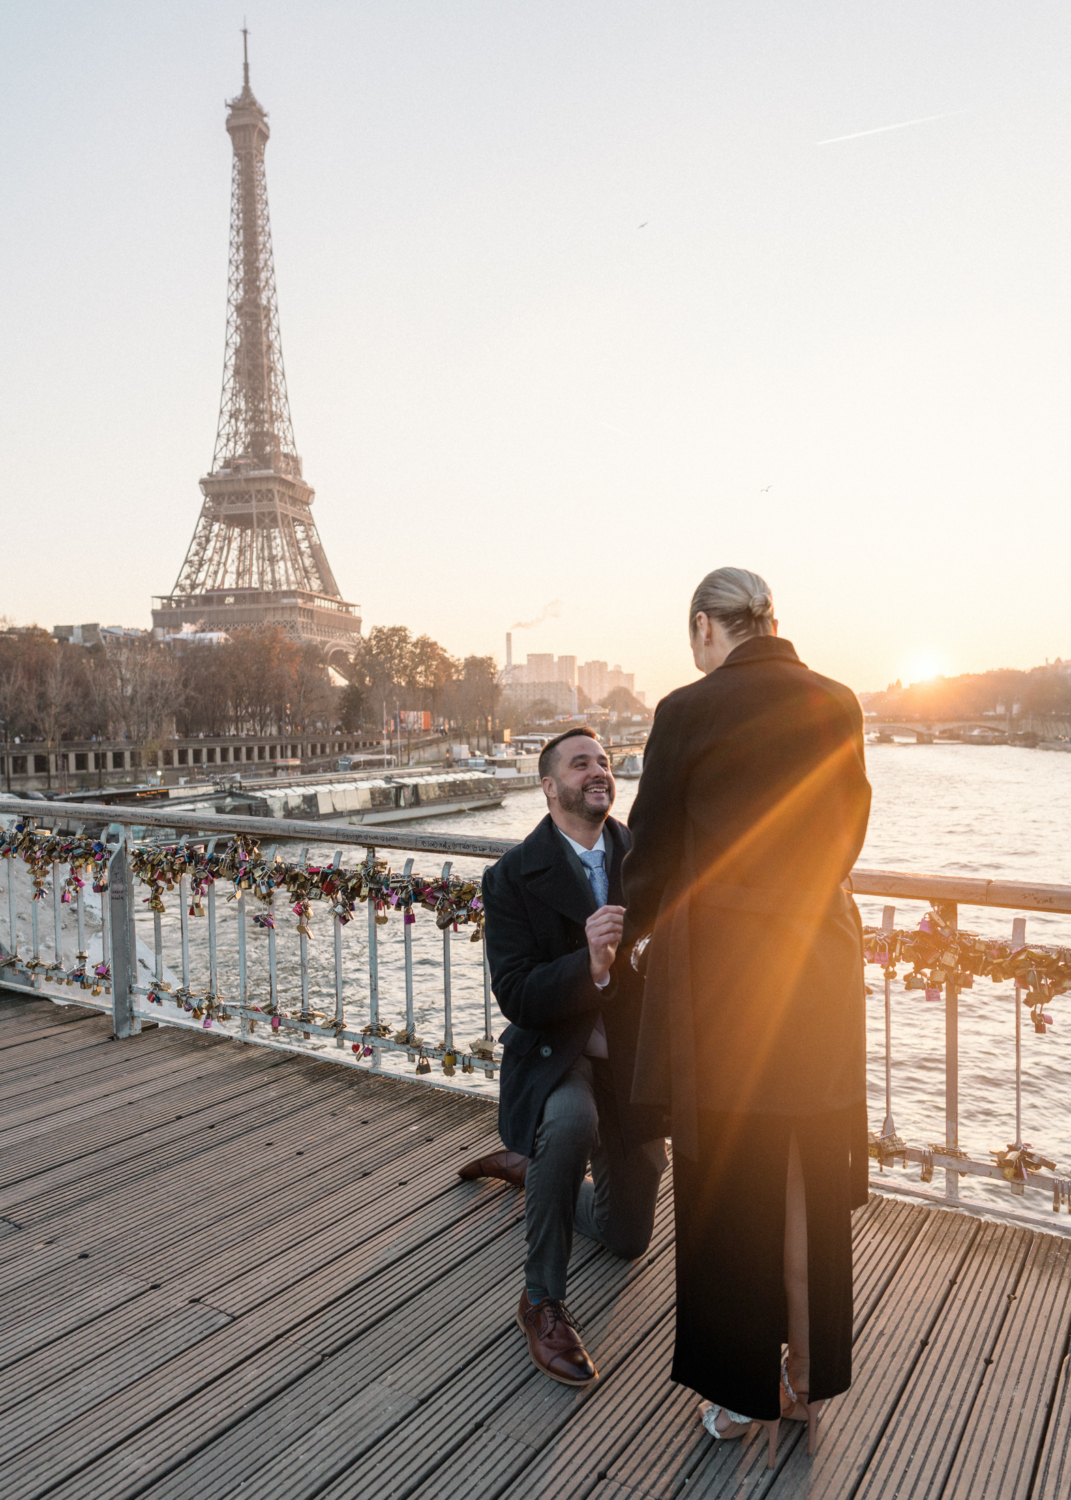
<point x="749" y="817"/>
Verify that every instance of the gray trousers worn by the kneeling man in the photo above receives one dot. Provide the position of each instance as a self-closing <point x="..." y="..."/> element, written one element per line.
<point x="616" y="1205"/>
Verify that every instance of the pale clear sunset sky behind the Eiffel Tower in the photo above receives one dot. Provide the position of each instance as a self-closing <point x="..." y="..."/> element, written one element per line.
<point x="580" y="299"/>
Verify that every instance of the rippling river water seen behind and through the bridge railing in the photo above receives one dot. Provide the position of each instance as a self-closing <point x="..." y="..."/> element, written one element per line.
<point x="967" y="811"/>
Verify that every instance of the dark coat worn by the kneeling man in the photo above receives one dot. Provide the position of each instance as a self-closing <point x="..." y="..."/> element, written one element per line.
<point x="538" y="901"/>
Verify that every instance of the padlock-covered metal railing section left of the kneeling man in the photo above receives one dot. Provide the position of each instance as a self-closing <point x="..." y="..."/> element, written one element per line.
<point x="115" y="980"/>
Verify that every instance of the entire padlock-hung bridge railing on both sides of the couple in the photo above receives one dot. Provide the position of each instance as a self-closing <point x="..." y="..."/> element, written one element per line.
<point x="133" y="1000"/>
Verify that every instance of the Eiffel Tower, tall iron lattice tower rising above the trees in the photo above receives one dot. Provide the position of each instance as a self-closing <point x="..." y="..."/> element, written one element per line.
<point x="256" y="557"/>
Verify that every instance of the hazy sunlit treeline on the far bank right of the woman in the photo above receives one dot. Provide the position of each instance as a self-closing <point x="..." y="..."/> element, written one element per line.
<point x="1043" y="694"/>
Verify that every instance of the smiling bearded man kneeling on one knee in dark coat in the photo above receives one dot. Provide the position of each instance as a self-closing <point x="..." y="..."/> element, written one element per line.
<point x="554" y="926"/>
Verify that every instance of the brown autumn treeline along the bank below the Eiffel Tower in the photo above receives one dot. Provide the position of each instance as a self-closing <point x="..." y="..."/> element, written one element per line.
<point x="259" y="682"/>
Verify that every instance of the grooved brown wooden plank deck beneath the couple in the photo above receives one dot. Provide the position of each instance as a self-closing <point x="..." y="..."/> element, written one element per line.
<point x="227" y="1270"/>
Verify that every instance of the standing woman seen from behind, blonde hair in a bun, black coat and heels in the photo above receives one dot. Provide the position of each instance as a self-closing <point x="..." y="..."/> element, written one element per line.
<point x="751" y="814"/>
